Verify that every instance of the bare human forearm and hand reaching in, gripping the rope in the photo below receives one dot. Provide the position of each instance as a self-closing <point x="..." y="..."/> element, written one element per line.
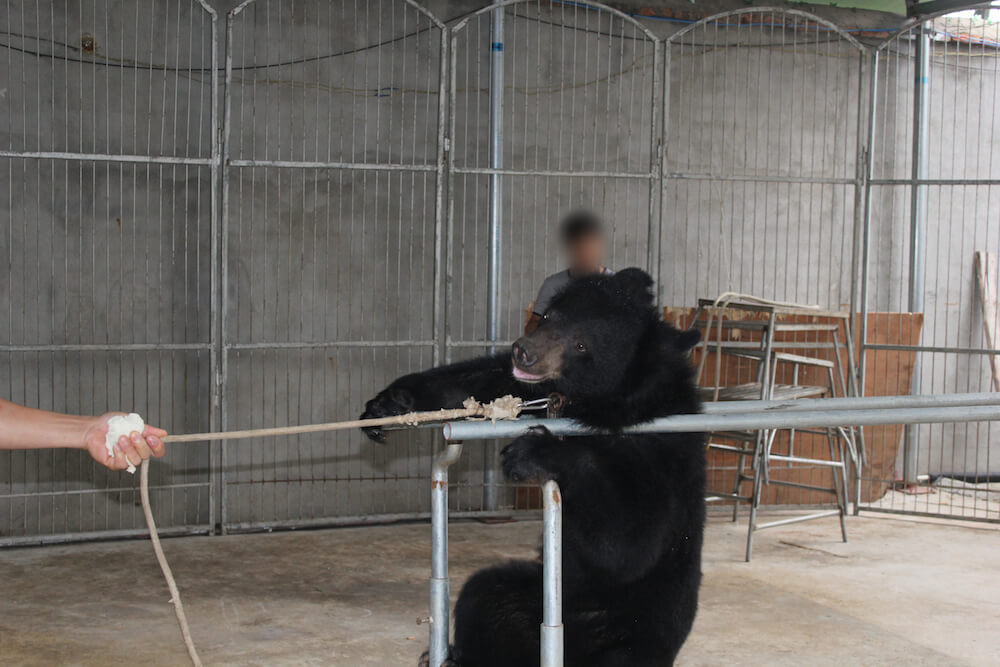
<point x="28" y="428"/>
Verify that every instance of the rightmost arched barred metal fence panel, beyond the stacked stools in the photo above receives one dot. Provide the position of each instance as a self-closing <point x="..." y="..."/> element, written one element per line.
<point x="932" y="203"/>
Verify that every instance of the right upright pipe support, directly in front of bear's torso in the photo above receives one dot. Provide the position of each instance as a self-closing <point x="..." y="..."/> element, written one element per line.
<point x="552" y="628"/>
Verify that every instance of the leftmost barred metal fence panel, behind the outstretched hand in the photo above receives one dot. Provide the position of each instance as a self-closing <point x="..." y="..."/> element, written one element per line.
<point x="109" y="155"/>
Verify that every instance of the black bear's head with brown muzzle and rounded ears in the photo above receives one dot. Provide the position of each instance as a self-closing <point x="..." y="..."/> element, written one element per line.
<point x="603" y="346"/>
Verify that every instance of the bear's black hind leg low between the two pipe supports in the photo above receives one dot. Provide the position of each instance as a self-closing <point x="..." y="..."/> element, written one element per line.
<point x="497" y="617"/>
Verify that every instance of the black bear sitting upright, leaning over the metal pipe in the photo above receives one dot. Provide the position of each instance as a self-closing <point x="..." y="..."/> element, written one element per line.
<point x="633" y="505"/>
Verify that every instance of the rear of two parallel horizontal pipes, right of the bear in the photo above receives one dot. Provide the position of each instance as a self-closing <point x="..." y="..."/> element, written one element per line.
<point x="872" y="403"/>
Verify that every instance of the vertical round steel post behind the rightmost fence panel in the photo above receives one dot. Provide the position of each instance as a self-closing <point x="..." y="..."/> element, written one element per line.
<point x="918" y="220"/>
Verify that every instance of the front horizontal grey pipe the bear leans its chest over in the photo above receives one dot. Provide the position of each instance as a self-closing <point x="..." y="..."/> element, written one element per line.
<point x="776" y="419"/>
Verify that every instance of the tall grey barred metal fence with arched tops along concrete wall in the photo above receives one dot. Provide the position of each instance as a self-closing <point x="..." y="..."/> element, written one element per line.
<point x="262" y="218"/>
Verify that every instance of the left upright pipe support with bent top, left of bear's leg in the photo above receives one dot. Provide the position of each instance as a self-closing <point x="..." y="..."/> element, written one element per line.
<point x="440" y="588"/>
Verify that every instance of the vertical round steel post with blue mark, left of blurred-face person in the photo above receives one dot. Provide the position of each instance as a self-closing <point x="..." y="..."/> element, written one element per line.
<point x="495" y="221"/>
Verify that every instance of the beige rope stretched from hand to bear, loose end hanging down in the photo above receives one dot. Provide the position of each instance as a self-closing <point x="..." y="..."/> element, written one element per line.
<point x="506" y="407"/>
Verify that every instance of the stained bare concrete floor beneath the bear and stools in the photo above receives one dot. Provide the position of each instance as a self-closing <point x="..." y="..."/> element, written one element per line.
<point x="900" y="592"/>
